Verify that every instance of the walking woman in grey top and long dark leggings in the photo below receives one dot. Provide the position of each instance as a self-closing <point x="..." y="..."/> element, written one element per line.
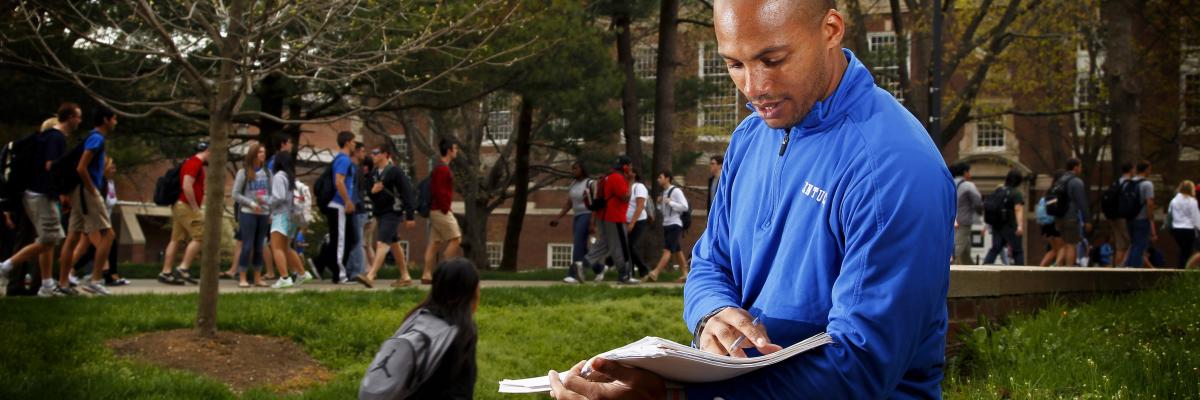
<point x="251" y="190"/>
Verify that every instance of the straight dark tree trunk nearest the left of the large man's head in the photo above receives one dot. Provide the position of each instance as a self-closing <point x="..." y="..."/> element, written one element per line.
<point x="664" y="89"/>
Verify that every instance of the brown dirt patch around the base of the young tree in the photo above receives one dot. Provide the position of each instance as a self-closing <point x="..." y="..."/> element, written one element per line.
<point x="241" y="361"/>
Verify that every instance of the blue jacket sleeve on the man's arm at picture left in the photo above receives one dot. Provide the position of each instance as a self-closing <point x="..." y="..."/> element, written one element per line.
<point x="711" y="285"/>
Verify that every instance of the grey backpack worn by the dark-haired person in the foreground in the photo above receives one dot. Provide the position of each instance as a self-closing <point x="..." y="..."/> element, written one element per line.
<point x="409" y="359"/>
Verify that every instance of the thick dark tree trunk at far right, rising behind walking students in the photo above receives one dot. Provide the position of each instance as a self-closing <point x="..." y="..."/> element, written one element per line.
<point x="1118" y="17"/>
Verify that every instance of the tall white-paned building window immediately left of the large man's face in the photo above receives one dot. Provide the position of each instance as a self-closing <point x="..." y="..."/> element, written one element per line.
<point x="719" y="110"/>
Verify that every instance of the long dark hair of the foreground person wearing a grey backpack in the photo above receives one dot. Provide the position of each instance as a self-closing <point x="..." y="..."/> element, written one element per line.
<point x="455" y="282"/>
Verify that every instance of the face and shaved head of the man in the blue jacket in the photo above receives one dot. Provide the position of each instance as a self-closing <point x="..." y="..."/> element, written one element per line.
<point x="778" y="56"/>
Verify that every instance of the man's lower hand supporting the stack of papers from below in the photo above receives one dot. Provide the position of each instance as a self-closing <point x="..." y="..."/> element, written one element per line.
<point x="609" y="380"/>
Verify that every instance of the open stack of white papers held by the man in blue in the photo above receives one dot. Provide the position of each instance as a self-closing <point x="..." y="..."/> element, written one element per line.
<point x="680" y="363"/>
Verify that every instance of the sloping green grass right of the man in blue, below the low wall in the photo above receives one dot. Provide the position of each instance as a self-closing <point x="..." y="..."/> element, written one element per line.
<point x="1139" y="347"/>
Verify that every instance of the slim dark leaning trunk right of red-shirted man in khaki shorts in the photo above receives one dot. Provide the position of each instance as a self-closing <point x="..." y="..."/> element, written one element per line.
<point x="521" y="183"/>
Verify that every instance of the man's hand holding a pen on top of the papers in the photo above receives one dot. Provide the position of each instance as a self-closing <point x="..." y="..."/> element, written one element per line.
<point x="724" y="329"/>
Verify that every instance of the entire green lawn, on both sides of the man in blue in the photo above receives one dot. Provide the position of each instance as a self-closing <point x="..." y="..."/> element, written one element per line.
<point x="1144" y="345"/>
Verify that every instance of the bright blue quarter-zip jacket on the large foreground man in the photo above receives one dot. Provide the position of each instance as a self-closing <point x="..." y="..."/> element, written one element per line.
<point x="850" y="231"/>
